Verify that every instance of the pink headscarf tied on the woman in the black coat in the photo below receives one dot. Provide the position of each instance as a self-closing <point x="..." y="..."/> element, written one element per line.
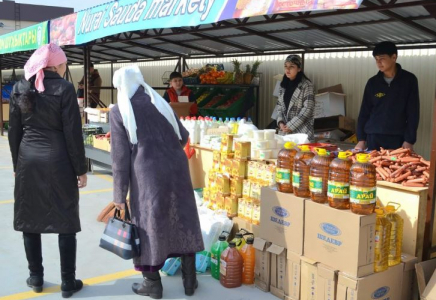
<point x="50" y="55"/>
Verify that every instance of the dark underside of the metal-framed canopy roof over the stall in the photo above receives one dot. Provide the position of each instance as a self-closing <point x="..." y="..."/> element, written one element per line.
<point x="408" y="23"/>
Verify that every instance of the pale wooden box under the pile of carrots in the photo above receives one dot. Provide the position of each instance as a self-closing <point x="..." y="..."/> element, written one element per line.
<point x="413" y="210"/>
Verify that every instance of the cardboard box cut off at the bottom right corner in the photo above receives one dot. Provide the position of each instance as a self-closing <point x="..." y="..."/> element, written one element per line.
<point x="426" y="277"/>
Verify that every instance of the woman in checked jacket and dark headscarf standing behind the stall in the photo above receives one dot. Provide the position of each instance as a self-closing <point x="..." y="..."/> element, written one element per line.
<point x="296" y="102"/>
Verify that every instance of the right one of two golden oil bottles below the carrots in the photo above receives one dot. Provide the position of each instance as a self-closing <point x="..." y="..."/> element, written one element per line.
<point x="396" y="239"/>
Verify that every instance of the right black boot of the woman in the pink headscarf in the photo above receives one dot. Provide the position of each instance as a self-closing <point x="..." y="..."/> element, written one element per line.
<point x="67" y="250"/>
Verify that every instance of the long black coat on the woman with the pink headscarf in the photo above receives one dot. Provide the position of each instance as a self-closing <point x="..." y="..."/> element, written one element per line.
<point x="48" y="154"/>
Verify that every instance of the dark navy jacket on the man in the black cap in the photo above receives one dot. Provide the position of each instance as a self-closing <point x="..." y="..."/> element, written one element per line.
<point x="390" y="109"/>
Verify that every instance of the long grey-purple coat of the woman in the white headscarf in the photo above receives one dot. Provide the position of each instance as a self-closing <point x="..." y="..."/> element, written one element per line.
<point x="157" y="172"/>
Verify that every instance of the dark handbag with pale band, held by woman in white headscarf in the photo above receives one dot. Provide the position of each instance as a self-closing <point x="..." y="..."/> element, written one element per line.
<point x="121" y="237"/>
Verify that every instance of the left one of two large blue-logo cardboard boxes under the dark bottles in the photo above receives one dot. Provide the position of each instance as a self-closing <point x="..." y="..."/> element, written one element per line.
<point x="282" y="219"/>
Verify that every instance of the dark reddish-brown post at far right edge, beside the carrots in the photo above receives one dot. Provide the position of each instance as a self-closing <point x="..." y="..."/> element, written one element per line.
<point x="431" y="198"/>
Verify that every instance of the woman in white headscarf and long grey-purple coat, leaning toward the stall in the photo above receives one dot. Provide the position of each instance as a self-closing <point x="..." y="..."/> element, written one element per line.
<point x="147" y="143"/>
